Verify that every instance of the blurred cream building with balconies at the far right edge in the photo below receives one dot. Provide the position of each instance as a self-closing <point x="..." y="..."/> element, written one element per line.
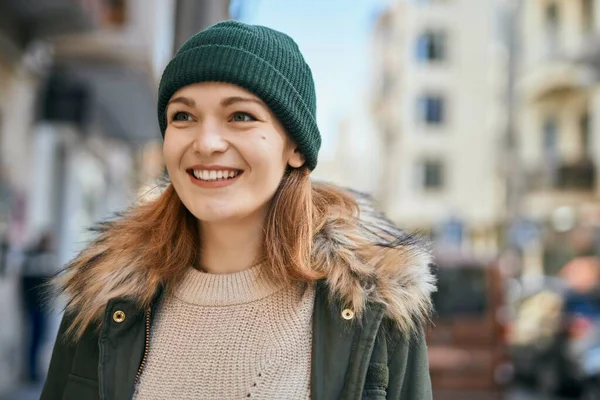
<point x="559" y="146"/>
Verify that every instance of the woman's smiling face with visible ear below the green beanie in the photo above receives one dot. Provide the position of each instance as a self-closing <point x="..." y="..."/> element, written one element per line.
<point x="225" y="151"/>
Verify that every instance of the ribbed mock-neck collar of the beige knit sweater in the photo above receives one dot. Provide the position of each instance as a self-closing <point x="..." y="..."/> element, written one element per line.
<point x="206" y="289"/>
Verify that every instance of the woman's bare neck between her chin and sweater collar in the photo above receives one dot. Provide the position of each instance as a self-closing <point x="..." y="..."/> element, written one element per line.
<point x="231" y="247"/>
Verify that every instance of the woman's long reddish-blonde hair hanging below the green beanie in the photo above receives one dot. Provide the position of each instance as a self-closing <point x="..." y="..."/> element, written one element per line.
<point x="165" y="231"/>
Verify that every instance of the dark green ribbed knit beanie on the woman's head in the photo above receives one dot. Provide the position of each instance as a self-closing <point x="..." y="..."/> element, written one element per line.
<point x="264" y="61"/>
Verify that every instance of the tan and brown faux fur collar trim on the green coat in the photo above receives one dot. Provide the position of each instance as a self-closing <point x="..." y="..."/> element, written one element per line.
<point x="368" y="261"/>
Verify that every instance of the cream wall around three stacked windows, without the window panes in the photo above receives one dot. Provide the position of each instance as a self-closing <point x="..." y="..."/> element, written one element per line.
<point x="467" y="142"/>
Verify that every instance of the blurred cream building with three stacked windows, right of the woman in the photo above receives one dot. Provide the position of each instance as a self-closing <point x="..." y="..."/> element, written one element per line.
<point x="438" y="106"/>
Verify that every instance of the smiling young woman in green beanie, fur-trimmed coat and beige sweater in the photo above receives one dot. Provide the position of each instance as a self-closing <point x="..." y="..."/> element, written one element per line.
<point x="244" y="279"/>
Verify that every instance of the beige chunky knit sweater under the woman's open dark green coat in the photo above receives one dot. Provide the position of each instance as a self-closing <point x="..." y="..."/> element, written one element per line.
<point x="230" y="336"/>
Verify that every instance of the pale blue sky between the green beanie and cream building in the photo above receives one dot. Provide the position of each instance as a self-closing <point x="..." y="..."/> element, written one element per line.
<point x="334" y="37"/>
